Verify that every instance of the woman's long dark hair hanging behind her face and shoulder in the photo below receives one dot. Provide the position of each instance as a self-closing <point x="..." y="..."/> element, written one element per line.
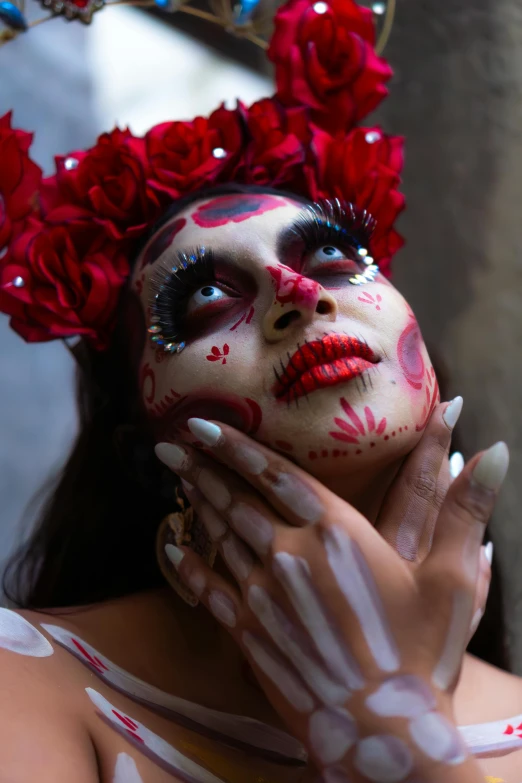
<point x="95" y="539"/>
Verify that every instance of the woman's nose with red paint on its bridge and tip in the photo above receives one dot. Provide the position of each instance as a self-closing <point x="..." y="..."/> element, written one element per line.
<point x="298" y="301"/>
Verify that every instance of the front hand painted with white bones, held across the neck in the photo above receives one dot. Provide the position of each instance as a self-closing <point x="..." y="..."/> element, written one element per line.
<point x="358" y="652"/>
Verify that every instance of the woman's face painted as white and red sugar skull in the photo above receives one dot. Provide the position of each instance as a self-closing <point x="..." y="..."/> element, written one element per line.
<point x="279" y="342"/>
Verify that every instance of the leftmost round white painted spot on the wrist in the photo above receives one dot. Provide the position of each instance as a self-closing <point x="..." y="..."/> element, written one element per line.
<point x="332" y="732"/>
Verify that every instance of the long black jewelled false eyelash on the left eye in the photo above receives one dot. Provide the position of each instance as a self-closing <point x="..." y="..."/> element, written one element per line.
<point x="170" y="287"/>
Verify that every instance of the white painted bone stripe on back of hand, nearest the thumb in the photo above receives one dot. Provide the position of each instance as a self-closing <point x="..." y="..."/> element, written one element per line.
<point x="358" y="586"/>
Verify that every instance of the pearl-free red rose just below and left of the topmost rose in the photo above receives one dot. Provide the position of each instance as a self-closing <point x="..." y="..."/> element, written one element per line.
<point x="277" y="154"/>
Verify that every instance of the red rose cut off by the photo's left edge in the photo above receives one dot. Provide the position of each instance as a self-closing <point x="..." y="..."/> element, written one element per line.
<point x="19" y="179"/>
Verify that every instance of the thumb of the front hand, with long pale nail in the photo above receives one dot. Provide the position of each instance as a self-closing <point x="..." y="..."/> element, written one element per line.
<point x="451" y="568"/>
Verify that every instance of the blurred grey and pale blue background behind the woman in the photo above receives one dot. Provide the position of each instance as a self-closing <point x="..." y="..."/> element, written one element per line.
<point x="456" y="95"/>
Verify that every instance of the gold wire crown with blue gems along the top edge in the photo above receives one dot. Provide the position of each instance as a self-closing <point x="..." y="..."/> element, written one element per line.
<point x="244" y="18"/>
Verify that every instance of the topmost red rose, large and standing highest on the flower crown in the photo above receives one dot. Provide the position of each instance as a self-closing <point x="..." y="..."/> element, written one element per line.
<point x="324" y="58"/>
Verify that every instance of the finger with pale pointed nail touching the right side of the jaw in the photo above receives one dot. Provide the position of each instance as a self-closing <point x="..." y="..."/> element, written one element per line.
<point x="413" y="502"/>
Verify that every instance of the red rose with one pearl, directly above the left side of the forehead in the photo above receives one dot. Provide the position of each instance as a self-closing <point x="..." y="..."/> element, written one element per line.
<point x="187" y="156"/>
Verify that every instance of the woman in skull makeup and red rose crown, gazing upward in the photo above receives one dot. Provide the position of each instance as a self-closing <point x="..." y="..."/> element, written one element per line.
<point x="284" y="380"/>
